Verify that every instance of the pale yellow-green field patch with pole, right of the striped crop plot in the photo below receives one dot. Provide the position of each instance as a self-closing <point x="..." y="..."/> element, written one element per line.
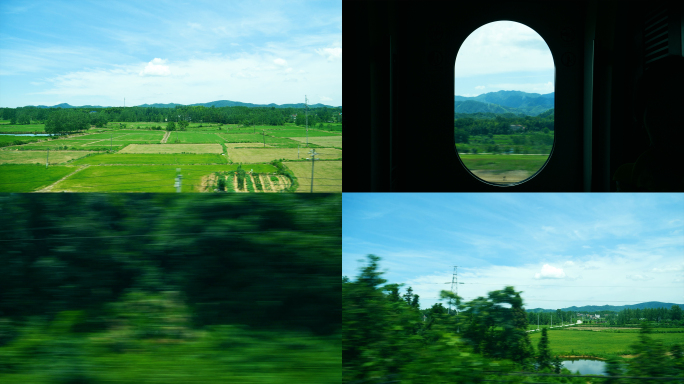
<point x="327" y="175"/>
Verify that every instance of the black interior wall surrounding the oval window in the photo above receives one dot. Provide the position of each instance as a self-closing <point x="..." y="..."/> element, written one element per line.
<point x="399" y="87"/>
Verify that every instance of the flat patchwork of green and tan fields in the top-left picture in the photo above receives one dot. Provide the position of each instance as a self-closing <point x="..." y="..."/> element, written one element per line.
<point x="96" y="156"/>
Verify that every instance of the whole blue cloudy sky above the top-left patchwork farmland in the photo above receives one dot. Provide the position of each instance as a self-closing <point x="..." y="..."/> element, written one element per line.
<point x="98" y="52"/>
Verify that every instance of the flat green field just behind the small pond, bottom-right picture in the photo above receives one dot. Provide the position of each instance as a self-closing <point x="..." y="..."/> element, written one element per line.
<point x="569" y="342"/>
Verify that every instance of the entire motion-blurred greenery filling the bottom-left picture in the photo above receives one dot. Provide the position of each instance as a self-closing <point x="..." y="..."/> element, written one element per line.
<point x="166" y="288"/>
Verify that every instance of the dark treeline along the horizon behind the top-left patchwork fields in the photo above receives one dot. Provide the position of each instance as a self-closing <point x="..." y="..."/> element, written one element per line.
<point x="224" y="115"/>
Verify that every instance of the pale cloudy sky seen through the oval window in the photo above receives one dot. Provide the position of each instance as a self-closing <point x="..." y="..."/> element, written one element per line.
<point x="503" y="55"/>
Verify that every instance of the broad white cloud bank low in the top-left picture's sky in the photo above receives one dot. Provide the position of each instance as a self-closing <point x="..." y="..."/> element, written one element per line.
<point x="241" y="77"/>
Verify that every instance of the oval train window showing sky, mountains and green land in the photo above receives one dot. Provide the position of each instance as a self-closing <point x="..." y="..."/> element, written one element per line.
<point x="504" y="103"/>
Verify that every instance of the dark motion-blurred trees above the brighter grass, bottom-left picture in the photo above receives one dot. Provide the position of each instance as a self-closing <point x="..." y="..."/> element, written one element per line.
<point x="266" y="261"/>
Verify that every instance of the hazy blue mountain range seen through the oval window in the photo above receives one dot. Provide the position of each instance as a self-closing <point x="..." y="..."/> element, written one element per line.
<point x="516" y="102"/>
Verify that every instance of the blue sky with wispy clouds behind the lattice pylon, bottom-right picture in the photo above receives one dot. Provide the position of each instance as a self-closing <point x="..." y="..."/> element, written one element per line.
<point x="559" y="249"/>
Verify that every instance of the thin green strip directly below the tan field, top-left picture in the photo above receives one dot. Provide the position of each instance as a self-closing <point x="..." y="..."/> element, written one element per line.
<point x="118" y="158"/>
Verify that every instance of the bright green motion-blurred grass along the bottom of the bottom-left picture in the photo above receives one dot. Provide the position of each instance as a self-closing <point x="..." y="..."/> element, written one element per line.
<point x="222" y="354"/>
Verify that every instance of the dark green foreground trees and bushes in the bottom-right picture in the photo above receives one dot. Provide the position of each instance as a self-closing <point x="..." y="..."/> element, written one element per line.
<point x="386" y="338"/>
